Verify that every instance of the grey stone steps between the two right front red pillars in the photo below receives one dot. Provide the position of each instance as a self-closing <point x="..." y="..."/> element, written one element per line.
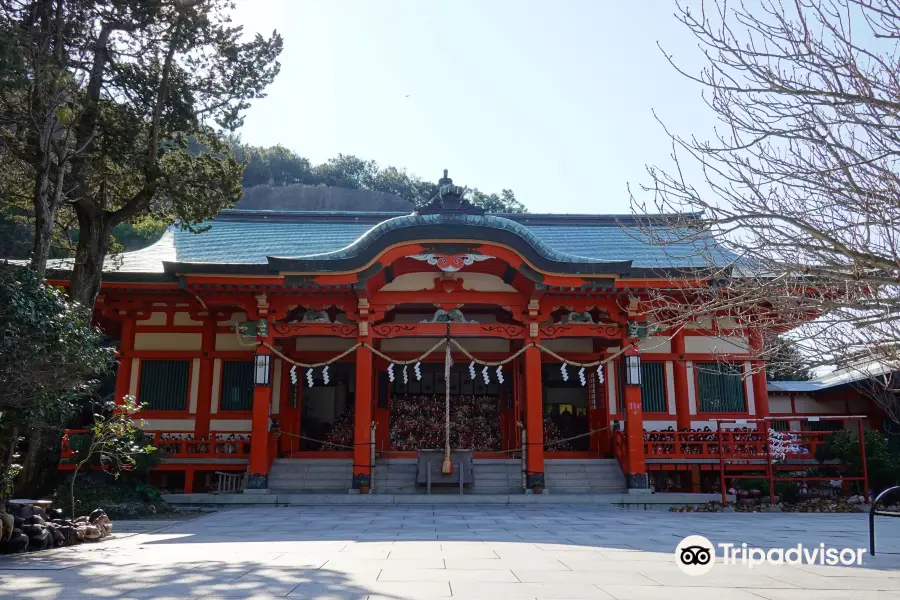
<point x="584" y="476"/>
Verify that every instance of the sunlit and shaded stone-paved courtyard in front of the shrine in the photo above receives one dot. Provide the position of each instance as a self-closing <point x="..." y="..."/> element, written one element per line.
<point x="460" y="551"/>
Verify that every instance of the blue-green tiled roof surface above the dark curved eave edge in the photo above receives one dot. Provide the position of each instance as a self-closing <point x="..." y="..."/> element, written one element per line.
<point x="252" y="237"/>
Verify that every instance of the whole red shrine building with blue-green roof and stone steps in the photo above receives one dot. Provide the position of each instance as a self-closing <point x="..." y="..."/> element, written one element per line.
<point x="293" y="347"/>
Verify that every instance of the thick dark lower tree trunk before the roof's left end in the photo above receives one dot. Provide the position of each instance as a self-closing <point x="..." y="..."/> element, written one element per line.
<point x="94" y="229"/>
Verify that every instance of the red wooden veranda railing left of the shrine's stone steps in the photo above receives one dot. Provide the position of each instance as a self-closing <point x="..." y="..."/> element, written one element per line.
<point x="220" y="444"/>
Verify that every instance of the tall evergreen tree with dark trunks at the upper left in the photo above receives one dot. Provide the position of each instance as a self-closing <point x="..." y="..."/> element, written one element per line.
<point x="114" y="109"/>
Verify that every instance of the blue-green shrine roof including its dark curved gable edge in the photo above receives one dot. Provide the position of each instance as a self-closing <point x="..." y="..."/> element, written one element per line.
<point x="262" y="241"/>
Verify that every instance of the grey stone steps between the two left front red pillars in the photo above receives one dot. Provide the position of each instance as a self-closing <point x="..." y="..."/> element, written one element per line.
<point x="311" y="475"/>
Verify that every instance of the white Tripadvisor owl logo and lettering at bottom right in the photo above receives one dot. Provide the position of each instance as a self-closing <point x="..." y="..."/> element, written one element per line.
<point x="696" y="555"/>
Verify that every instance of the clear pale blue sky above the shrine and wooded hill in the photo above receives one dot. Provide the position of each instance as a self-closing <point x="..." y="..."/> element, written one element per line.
<point x="553" y="99"/>
